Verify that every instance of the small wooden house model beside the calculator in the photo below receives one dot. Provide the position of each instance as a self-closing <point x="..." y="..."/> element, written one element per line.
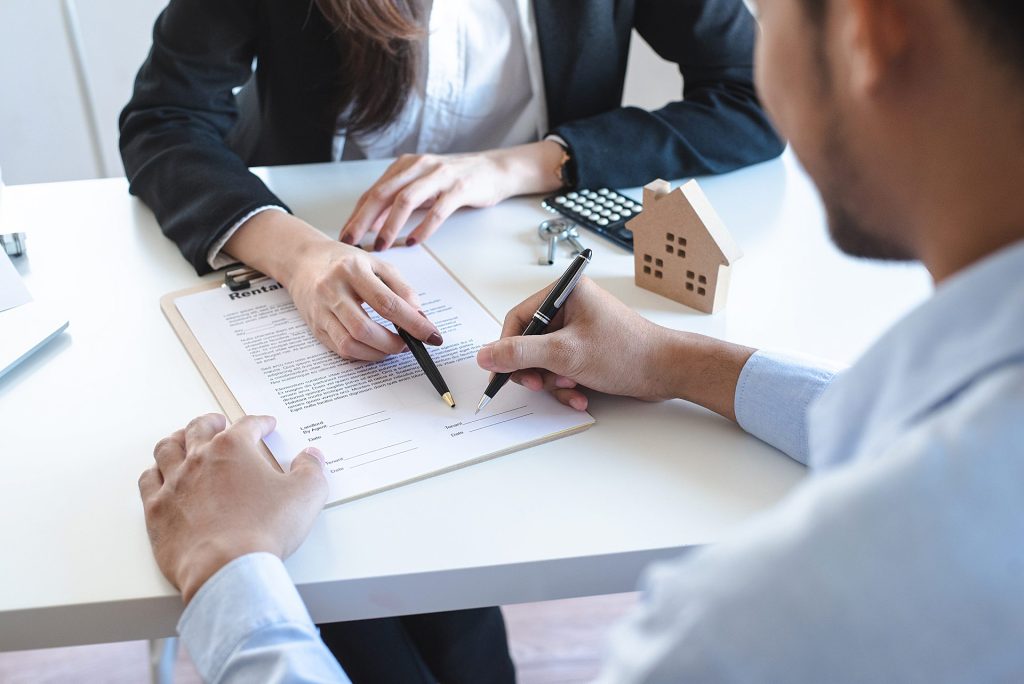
<point x="682" y="249"/>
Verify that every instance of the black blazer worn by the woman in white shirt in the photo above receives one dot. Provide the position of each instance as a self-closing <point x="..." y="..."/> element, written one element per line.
<point x="189" y="135"/>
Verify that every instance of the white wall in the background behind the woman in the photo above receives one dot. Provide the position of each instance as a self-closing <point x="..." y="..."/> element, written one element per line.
<point x="67" y="68"/>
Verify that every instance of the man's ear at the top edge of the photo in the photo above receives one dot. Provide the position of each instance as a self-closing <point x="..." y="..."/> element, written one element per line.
<point x="874" y="41"/>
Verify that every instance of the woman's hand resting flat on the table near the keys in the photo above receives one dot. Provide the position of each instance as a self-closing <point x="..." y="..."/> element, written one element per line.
<point x="444" y="184"/>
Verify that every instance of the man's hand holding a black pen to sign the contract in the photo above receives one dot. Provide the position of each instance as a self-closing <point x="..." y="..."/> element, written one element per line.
<point x="598" y="343"/>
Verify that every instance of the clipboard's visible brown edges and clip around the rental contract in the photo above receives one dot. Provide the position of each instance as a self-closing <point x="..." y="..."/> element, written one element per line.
<point x="234" y="411"/>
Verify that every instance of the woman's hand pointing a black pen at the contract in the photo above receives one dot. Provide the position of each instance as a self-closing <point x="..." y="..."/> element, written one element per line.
<point x="329" y="283"/>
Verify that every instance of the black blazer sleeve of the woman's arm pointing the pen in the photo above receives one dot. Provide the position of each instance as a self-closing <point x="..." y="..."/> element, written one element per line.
<point x="175" y="129"/>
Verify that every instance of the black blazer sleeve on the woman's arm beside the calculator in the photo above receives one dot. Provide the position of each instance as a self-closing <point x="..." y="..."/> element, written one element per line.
<point x="719" y="125"/>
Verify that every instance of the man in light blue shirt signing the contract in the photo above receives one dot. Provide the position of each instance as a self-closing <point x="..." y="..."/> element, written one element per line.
<point x="901" y="560"/>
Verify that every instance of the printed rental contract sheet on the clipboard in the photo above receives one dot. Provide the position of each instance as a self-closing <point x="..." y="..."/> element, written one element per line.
<point x="379" y="424"/>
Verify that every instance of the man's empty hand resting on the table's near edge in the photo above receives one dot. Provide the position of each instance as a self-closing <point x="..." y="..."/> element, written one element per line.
<point x="212" y="496"/>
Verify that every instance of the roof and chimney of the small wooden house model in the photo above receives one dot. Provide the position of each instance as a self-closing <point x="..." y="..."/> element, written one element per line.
<point x="661" y="205"/>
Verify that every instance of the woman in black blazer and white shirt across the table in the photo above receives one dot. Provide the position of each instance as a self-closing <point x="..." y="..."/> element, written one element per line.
<point x="480" y="101"/>
